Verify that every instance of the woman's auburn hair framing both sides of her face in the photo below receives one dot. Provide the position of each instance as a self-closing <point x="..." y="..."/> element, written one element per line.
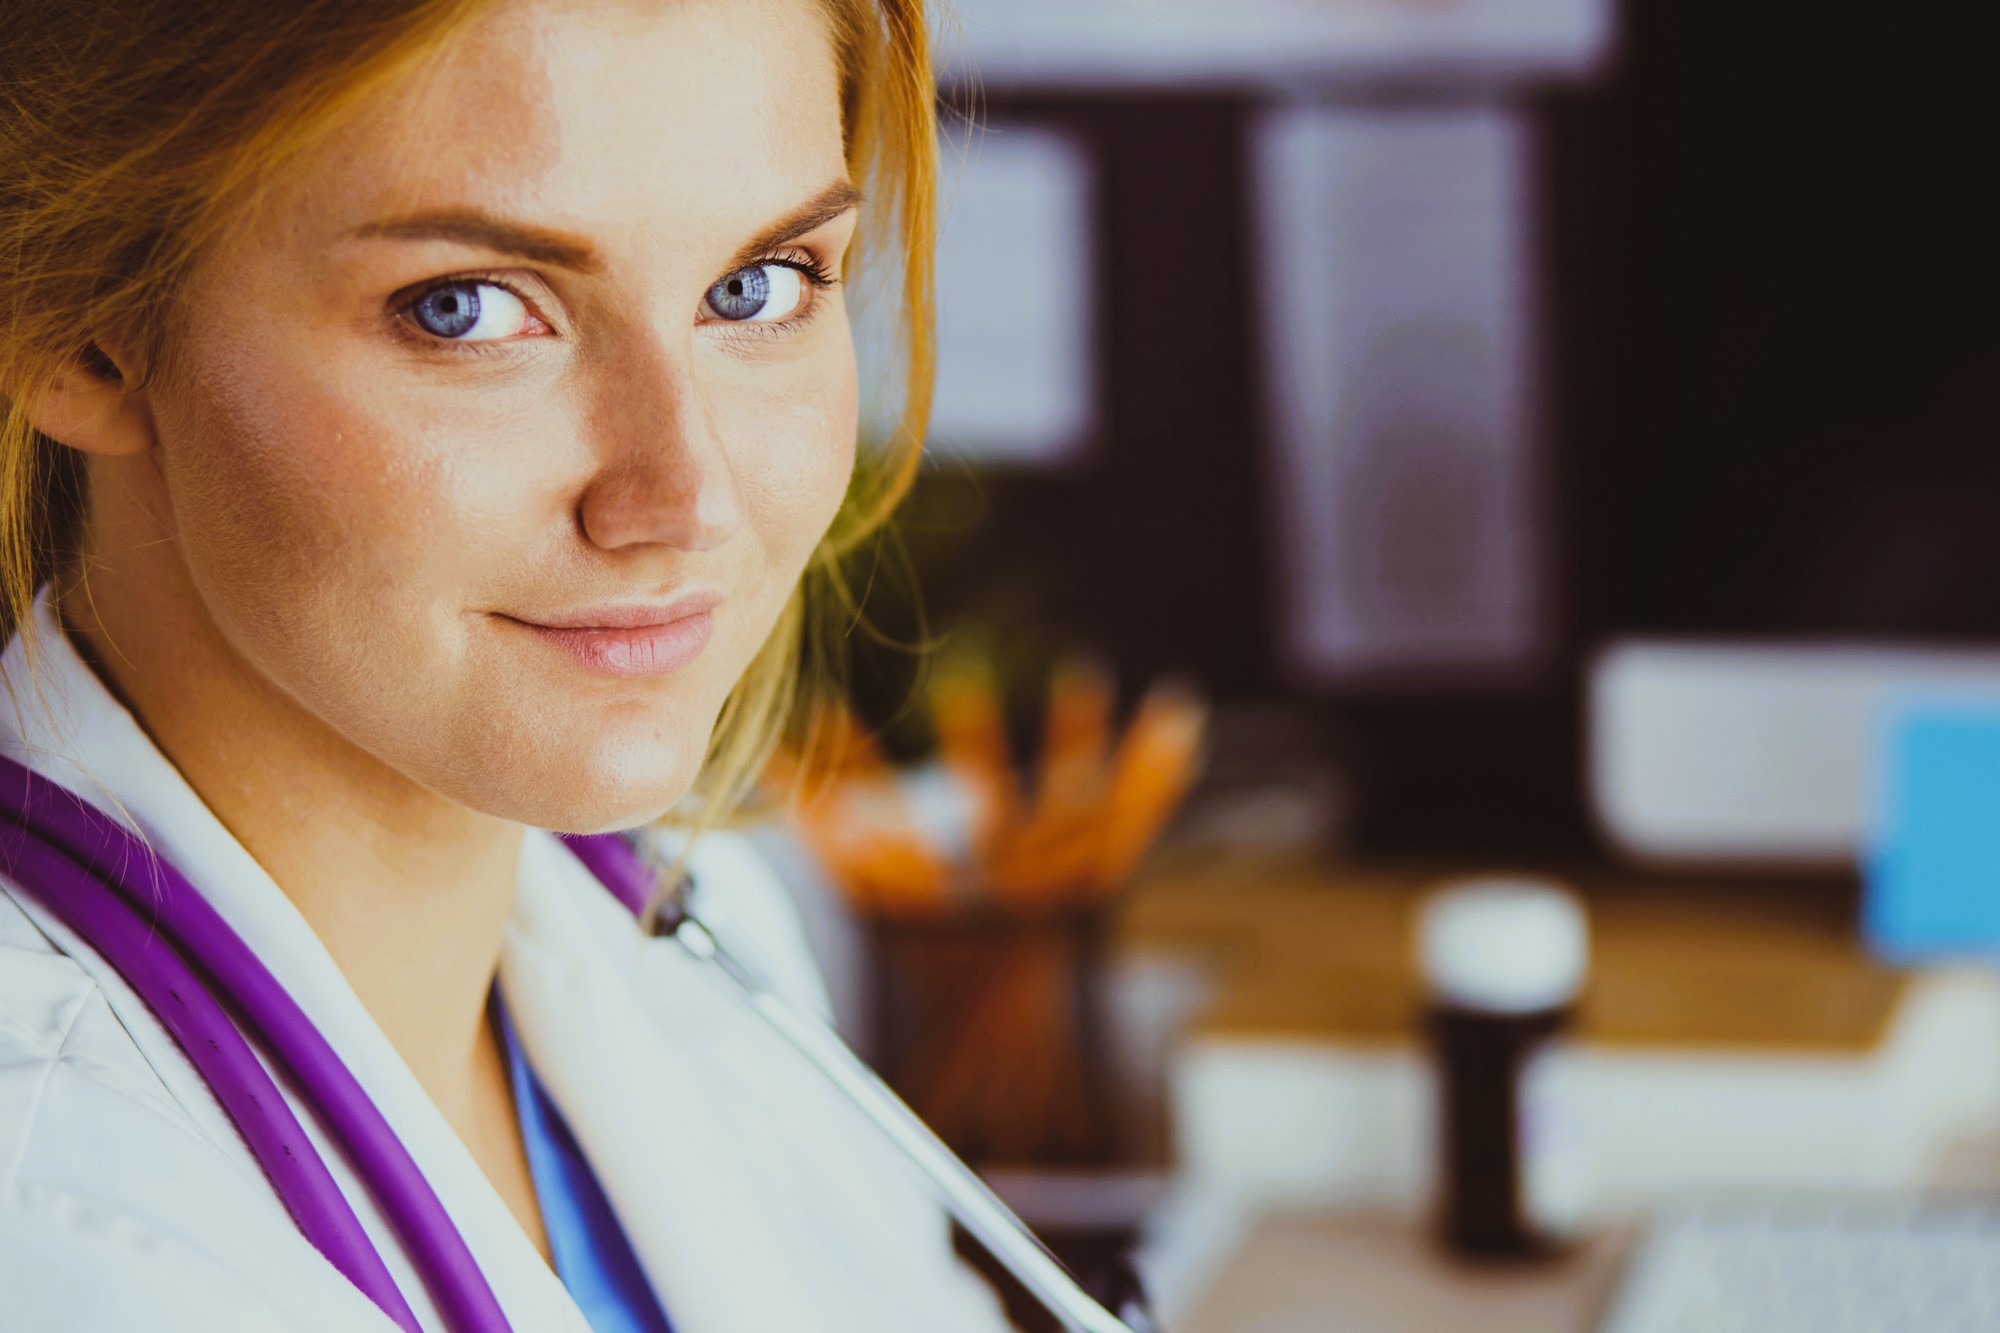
<point x="133" y="133"/>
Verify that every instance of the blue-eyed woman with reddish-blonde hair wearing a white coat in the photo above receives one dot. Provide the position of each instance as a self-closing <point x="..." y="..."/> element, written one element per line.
<point x="425" y="425"/>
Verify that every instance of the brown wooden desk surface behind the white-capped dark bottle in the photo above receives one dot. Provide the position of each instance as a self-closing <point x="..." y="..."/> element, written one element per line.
<point x="1325" y="952"/>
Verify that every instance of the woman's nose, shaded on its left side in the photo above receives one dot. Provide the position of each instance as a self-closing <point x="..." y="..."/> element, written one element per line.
<point x="665" y="473"/>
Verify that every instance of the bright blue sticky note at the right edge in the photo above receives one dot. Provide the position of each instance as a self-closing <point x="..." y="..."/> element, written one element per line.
<point x="1935" y="866"/>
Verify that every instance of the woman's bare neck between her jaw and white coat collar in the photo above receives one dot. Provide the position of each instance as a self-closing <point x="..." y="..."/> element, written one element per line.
<point x="411" y="894"/>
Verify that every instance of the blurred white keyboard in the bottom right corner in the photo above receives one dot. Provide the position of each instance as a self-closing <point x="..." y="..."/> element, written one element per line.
<point x="1817" y="1266"/>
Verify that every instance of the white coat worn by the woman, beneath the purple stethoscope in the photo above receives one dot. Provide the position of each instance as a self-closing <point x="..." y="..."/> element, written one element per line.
<point x="757" y="1200"/>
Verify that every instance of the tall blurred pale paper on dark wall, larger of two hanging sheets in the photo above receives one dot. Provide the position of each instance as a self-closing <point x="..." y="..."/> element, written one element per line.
<point x="1395" y="289"/>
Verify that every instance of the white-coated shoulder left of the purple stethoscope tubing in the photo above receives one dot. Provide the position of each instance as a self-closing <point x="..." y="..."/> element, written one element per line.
<point x="117" y="1212"/>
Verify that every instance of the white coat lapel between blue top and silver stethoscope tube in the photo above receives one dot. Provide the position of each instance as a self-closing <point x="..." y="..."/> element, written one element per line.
<point x="757" y="1198"/>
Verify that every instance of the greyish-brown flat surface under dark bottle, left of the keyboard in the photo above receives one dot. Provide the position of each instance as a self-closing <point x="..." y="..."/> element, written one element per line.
<point x="1379" y="1274"/>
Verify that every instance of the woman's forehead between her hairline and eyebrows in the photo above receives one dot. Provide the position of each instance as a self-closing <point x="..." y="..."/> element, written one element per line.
<point x="667" y="121"/>
